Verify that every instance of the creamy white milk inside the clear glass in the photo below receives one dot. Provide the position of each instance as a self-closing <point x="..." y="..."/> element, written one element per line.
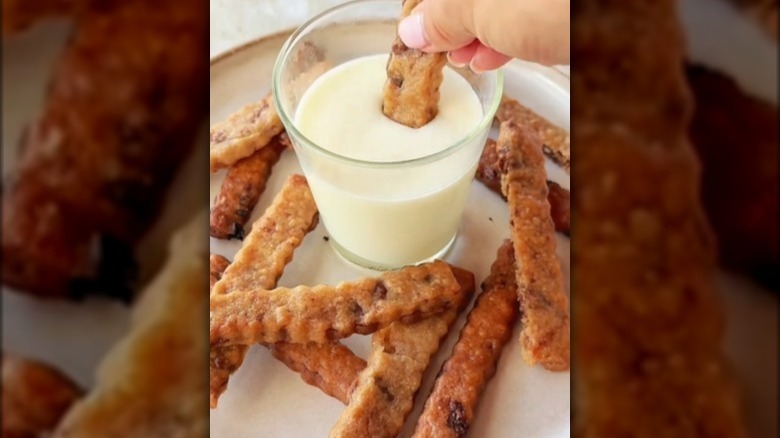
<point x="388" y="216"/>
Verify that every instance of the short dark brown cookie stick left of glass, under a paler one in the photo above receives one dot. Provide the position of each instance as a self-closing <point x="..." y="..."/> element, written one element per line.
<point x="244" y="183"/>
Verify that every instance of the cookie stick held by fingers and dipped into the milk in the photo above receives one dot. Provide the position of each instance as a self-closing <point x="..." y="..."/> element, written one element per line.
<point x="411" y="92"/>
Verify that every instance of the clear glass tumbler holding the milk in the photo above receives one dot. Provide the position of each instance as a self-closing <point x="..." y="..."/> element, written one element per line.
<point x="380" y="215"/>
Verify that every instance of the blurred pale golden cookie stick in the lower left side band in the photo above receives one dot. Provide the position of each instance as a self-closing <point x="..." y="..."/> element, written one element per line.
<point x="153" y="383"/>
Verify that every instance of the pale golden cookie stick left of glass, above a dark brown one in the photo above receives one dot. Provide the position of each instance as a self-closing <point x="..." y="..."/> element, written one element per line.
<point x="243" y="132"/>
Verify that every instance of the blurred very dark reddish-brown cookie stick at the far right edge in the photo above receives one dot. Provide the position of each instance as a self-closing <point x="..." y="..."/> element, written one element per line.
<point x="735" y="136"/>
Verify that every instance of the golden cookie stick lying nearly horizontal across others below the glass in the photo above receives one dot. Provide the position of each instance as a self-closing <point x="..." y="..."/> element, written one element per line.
<point x="325" y="313"/>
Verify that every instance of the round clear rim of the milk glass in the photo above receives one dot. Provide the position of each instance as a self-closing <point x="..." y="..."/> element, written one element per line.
<point x="485" y="121"/>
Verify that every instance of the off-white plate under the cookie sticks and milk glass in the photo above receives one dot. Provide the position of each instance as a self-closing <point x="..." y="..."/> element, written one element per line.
<point x="264" y="398"/>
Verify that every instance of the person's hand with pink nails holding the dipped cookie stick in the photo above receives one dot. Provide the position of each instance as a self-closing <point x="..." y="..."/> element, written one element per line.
<point x="486" y="34"/>
